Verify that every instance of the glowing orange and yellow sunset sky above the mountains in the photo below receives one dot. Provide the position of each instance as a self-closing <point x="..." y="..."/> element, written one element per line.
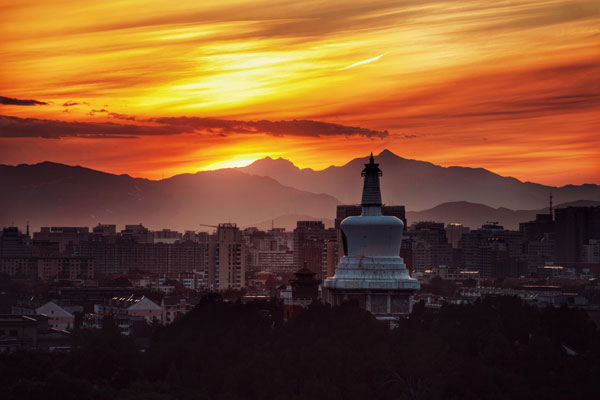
<point x="155" y="88"/>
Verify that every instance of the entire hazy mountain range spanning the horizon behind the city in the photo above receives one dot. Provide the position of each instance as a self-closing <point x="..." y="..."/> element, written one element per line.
<point x="51" y="194"/>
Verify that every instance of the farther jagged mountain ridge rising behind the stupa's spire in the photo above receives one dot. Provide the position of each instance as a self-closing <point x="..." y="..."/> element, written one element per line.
<point x="421" y="185"/>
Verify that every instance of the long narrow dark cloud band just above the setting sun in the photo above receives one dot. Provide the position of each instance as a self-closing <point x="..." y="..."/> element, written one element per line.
<point x="52" y="129"/>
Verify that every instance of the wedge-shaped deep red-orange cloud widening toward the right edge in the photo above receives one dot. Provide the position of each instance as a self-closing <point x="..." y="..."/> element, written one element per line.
<point x="498" y="98"/>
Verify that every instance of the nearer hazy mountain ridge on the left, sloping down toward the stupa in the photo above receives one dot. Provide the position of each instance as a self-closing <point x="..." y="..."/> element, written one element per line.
<point x="60" y="195"/>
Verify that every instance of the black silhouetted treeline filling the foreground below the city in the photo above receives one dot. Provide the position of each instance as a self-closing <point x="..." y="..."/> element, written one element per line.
<point x="497" y="348"/>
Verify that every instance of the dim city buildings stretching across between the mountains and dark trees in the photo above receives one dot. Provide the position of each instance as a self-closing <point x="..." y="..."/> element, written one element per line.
<point x="64" y="278"/>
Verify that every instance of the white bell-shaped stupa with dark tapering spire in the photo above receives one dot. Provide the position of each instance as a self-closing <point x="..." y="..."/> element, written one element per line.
<point x="372" y="272"/>
